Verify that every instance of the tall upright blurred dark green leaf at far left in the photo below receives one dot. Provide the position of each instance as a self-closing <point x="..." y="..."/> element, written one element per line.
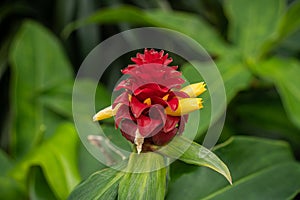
<point x="38" y="65"/>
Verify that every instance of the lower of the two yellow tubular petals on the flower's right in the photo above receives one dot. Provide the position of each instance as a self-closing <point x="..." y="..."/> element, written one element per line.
<point x="185" y="106"/>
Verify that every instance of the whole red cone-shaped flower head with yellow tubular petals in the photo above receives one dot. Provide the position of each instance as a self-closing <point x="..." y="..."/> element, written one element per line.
<point x="151" y="108"/>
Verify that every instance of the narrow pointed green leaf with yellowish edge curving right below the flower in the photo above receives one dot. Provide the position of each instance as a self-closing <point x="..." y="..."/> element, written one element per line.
<point x="193" y="153"/>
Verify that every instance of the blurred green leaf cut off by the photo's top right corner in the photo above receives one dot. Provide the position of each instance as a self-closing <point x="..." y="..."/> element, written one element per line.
<point x="291" y="20"/>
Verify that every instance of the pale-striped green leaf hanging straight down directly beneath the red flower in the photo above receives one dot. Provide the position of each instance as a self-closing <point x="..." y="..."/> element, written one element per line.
<point x="150" y="184"/>
